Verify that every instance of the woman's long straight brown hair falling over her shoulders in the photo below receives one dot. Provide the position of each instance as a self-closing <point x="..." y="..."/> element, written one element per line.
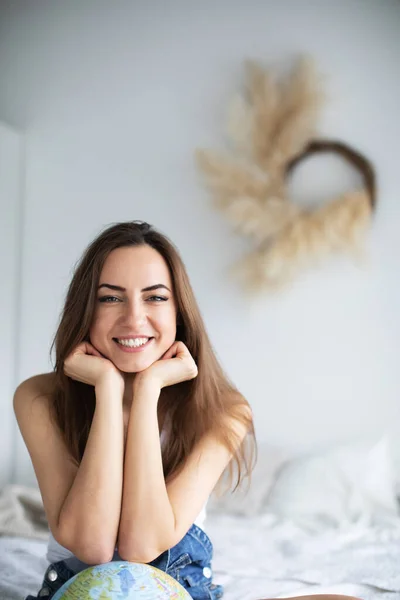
<point x="205" y="404"/>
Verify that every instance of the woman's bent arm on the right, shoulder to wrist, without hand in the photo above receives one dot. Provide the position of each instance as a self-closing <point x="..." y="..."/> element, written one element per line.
<point x="155" y="516"/>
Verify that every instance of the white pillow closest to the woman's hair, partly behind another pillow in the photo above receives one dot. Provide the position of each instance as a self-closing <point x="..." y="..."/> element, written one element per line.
<point x="249" y="500"/>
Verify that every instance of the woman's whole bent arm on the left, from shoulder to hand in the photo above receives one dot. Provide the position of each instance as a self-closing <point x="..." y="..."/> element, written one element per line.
<point x="82" y="503"/>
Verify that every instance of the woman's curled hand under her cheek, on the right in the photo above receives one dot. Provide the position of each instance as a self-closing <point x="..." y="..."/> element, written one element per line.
<point x="175" y="366"/>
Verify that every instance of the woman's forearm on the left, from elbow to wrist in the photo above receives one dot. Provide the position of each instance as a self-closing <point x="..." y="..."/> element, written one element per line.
<point x="89" y="517"/>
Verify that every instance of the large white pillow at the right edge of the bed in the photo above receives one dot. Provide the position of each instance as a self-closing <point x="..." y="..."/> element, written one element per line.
<point x="353" y="483"/>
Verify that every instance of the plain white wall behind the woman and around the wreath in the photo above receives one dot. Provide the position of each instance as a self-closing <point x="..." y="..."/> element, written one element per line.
<point x="114" y="98"/>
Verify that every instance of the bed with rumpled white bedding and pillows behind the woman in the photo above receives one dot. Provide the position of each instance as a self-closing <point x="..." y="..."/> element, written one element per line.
<point x="327" y="523"/>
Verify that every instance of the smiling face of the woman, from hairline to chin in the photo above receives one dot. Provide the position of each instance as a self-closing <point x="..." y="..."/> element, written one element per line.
<point x="134" y="322"/>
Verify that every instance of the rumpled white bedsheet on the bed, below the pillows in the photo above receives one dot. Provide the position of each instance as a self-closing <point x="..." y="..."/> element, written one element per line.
<point x="260" y="557"/>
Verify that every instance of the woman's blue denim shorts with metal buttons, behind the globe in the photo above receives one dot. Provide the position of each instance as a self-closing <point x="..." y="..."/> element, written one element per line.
<point x="189" y="562"/>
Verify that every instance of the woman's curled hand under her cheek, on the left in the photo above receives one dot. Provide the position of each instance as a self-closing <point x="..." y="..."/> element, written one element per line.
<point x="87" y="365"/>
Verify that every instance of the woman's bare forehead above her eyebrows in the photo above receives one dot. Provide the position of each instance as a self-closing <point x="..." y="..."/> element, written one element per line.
<point x="140" y="266"/>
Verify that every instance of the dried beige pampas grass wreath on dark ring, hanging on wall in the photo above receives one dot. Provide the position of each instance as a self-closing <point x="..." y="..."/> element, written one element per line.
<point x="272" y="130"/>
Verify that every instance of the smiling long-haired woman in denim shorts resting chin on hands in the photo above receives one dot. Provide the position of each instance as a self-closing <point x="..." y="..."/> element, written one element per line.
<point x="131" y="433"/>
